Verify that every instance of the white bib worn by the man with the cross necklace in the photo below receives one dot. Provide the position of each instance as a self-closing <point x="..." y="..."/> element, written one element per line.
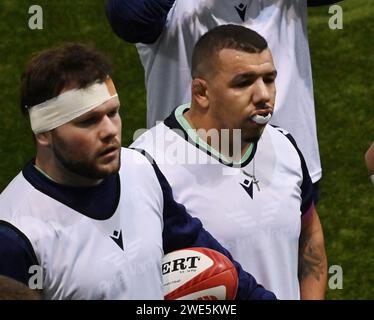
<point x="260" y="227"/>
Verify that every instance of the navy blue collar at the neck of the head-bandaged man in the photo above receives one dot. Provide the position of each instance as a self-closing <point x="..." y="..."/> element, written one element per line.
<point x="97" y="202"/>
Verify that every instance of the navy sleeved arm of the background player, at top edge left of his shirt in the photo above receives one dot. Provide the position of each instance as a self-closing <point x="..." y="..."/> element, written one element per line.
<point x="138" y="20"/>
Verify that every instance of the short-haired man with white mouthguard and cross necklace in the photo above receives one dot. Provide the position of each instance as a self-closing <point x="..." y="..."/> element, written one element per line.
<point x="245" y="180"/>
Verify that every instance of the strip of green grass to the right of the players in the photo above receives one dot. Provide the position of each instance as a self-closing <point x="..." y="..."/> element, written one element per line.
<point x="343" y="64"/>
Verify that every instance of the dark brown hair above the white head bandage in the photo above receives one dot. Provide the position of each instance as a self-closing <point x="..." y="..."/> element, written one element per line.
<point x="51" y="70"/>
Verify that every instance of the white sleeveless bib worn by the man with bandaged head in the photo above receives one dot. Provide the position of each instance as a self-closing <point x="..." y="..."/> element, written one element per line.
<point x="78" y="254"/>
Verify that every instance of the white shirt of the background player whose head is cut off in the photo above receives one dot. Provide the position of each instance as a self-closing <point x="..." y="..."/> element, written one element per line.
<point x="282" y="23"/>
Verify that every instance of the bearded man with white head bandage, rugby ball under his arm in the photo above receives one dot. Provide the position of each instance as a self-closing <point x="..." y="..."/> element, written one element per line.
<point x="85" y="218"/>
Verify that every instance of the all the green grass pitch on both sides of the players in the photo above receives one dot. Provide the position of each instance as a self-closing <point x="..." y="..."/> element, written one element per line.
<point x="343" y="64"/>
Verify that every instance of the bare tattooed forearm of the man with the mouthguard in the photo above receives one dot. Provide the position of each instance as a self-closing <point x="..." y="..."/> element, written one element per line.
<point x="312" y="261"/>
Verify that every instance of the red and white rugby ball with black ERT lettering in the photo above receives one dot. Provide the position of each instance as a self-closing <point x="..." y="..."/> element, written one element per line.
<point x="198" y="274"/>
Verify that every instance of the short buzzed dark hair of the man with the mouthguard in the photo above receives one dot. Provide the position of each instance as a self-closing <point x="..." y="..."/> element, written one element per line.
<point x="227" y="36"/>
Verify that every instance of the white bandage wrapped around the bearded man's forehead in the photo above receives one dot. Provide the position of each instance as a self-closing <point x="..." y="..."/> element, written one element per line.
<point x="69" y="105"/>
